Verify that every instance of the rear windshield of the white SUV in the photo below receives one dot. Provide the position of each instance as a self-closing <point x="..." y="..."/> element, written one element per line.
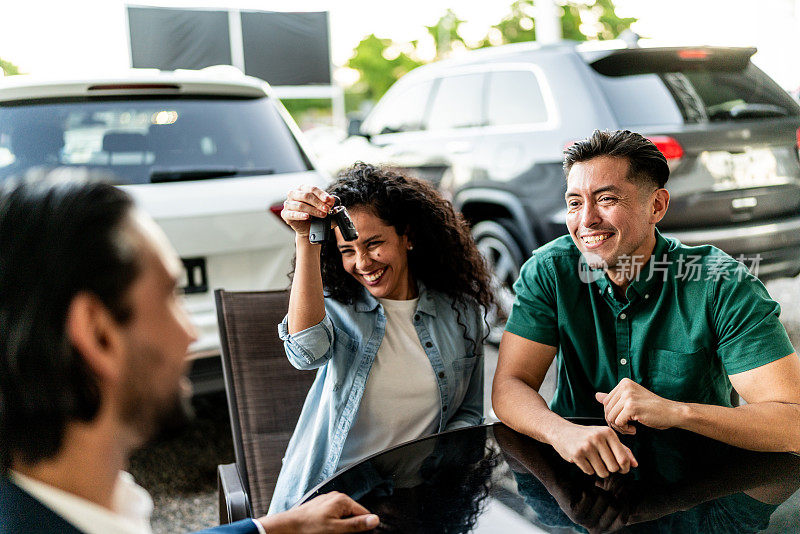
<point x="149" y="140"/>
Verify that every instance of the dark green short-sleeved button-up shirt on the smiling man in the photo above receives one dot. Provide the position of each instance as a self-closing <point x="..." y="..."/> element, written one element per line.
<point x="693" y="316"/>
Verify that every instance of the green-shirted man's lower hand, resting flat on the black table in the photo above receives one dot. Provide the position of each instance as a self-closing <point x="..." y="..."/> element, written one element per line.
<point x="596" y="450"/>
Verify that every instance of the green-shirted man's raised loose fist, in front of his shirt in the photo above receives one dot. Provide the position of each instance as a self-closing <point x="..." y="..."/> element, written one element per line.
<point x="630" y="402"/>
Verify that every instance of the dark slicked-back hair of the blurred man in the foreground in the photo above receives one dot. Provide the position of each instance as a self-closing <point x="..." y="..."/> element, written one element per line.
<point x="56" y="240"/>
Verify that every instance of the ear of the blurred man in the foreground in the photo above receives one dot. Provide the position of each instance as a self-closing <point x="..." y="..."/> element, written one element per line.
<point x="94" y="333"/>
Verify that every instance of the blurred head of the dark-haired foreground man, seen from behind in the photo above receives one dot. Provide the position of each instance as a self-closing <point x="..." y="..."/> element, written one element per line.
<point x="91" y="327"/>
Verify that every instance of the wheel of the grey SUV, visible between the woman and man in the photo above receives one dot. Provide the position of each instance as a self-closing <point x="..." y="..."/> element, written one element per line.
<point x="496" y="242"/>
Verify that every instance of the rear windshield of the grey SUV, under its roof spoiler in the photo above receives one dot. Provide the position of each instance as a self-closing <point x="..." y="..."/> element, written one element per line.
<point x="695" y="95"/>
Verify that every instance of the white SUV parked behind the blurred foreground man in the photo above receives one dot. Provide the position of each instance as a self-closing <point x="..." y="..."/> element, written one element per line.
<point x="207" y="153"/>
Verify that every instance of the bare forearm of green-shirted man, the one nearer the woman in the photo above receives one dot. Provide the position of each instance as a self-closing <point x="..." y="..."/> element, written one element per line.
<point x="522" y="408"/>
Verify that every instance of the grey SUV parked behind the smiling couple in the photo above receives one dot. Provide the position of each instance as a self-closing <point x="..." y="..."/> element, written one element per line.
<point x="490" y="128"/>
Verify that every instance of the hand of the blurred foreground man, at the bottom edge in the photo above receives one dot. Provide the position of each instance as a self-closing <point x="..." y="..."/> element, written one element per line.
<point x="330" y="513"/>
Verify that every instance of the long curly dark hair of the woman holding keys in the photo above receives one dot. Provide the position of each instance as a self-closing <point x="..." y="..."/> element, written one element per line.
<point x="444" y="257"/>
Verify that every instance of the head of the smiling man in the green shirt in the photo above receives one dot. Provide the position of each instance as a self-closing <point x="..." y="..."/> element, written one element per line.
<point x="615" y="195"/>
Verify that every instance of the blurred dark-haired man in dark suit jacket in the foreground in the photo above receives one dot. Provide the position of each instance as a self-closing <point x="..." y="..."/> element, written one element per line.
<point x="93" y="342"/>
